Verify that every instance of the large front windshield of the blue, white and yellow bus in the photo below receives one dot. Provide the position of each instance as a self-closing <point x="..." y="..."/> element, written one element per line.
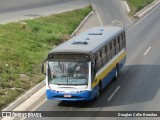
<point x="68" y="73"/>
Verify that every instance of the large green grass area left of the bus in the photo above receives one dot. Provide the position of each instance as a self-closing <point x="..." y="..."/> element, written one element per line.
<point x="25" y="44"/>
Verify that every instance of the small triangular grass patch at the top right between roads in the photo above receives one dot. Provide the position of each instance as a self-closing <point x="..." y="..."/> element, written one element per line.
<point x="136" y="5"/>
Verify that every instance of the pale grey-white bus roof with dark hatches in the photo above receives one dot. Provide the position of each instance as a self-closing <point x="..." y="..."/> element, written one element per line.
<point x="88" y="41"/>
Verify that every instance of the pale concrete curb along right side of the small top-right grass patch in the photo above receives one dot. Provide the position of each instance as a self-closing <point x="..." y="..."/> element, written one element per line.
<point x="146" y="9"/>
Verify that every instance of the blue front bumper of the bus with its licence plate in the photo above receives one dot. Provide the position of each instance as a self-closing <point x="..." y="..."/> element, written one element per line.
<point x="83" y="95"/>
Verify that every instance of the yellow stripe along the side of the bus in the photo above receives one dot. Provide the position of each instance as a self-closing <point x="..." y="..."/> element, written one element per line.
<point x="108" y="69"/>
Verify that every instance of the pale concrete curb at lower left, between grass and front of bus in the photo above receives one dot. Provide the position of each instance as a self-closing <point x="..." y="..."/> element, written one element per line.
<point x="24" y="97"/>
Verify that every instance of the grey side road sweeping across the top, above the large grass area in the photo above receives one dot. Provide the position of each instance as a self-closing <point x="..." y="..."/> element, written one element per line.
<point x="14" y="10"/>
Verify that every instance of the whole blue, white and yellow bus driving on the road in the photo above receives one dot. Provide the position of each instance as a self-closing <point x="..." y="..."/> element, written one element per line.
<point x="80" y="68"/>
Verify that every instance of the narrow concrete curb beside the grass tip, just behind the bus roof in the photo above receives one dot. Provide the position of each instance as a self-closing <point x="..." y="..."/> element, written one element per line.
<point x="81" y="24"/>
